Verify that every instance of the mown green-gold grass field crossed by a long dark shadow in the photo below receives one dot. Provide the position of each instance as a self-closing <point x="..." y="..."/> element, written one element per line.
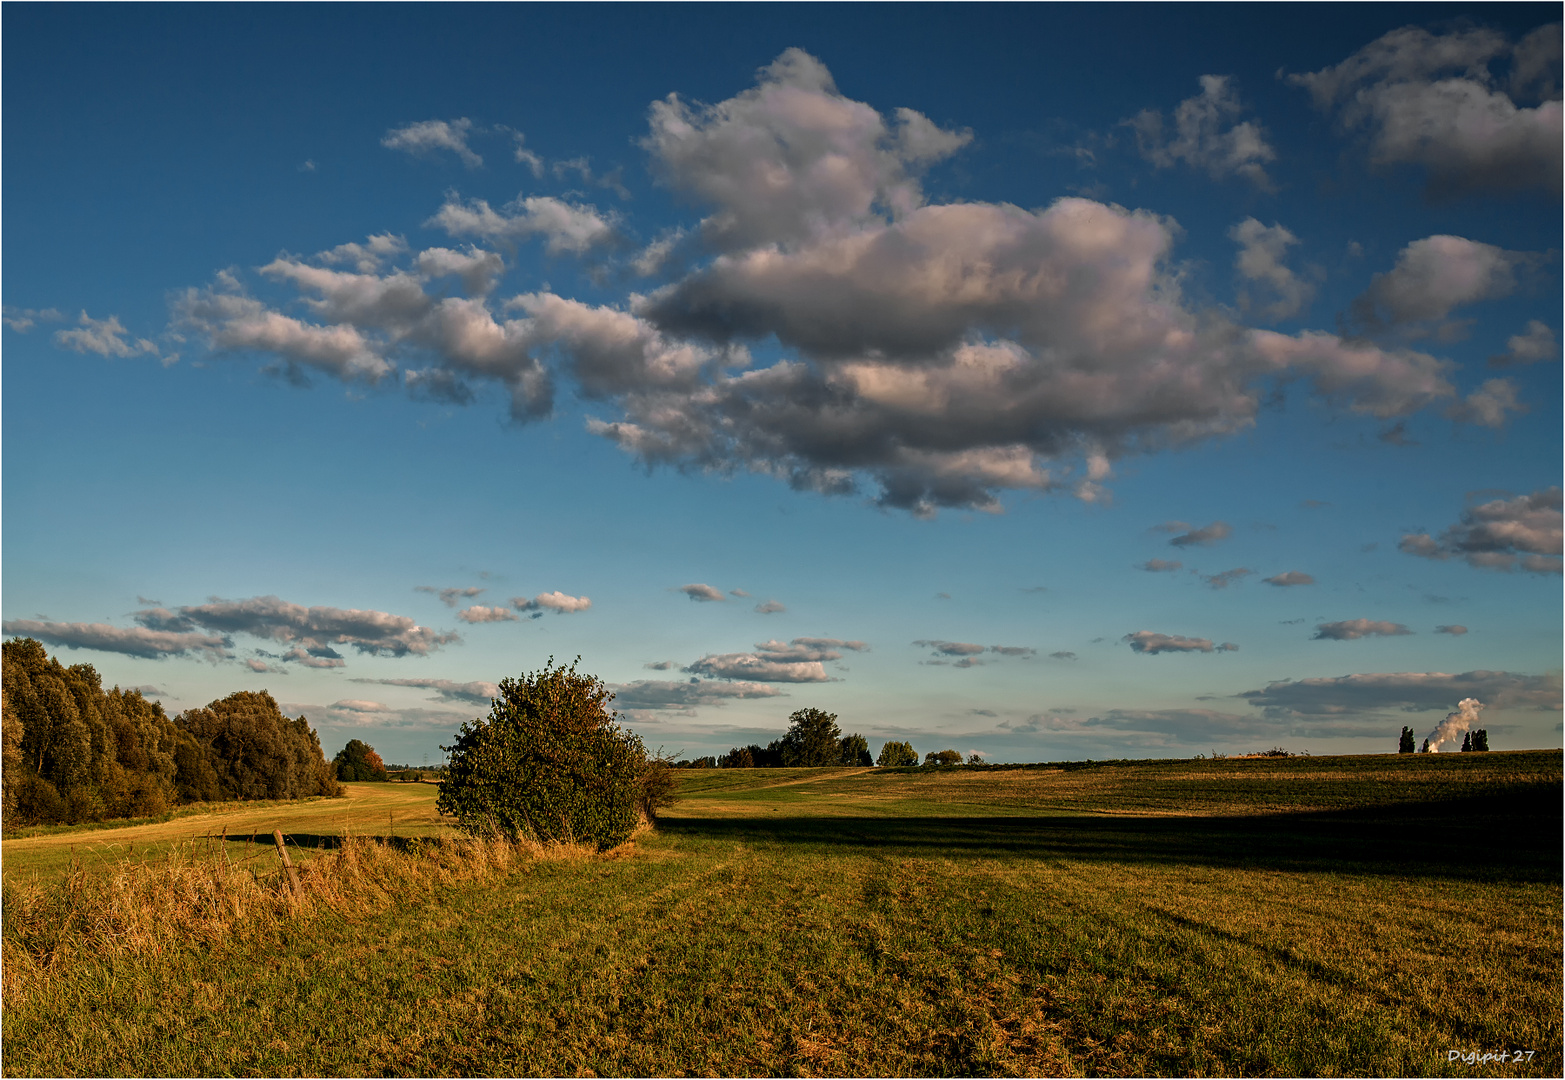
<point x="1344" y="916"/>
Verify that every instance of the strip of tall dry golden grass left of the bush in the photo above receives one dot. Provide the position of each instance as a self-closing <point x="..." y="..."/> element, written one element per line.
<point x="196" y="896"/>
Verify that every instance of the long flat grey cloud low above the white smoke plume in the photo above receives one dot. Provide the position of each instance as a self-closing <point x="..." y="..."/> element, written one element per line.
<point x="1408" y="693"/>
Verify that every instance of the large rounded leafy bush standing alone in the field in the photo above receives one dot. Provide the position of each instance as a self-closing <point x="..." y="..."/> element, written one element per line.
<point x="552" y="763"/>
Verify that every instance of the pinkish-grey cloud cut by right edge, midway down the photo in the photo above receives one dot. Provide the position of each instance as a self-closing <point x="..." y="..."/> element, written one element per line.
<point x="1502" y="535"/>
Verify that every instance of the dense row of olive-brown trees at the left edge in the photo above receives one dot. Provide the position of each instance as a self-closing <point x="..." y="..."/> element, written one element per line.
<point x="76" y="752"/>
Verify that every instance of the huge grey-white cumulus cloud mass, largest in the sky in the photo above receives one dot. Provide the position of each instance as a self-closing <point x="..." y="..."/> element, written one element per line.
<point x="934" y="355"/>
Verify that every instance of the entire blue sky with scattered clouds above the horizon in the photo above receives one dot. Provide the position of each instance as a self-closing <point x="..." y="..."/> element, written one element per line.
<point x="1045" y="383"/>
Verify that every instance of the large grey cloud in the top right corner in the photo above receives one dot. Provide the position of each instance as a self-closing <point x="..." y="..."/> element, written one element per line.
<point x="1434" y="101"/>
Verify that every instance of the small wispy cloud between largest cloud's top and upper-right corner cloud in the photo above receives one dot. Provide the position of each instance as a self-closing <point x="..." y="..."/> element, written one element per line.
<point x="1207" y="137"/>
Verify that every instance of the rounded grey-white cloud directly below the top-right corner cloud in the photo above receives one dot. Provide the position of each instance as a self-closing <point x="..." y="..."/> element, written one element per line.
<point x="1433" y="278"/>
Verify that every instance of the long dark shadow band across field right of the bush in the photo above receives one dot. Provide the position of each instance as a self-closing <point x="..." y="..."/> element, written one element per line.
<point x="1513" y="837"/>
